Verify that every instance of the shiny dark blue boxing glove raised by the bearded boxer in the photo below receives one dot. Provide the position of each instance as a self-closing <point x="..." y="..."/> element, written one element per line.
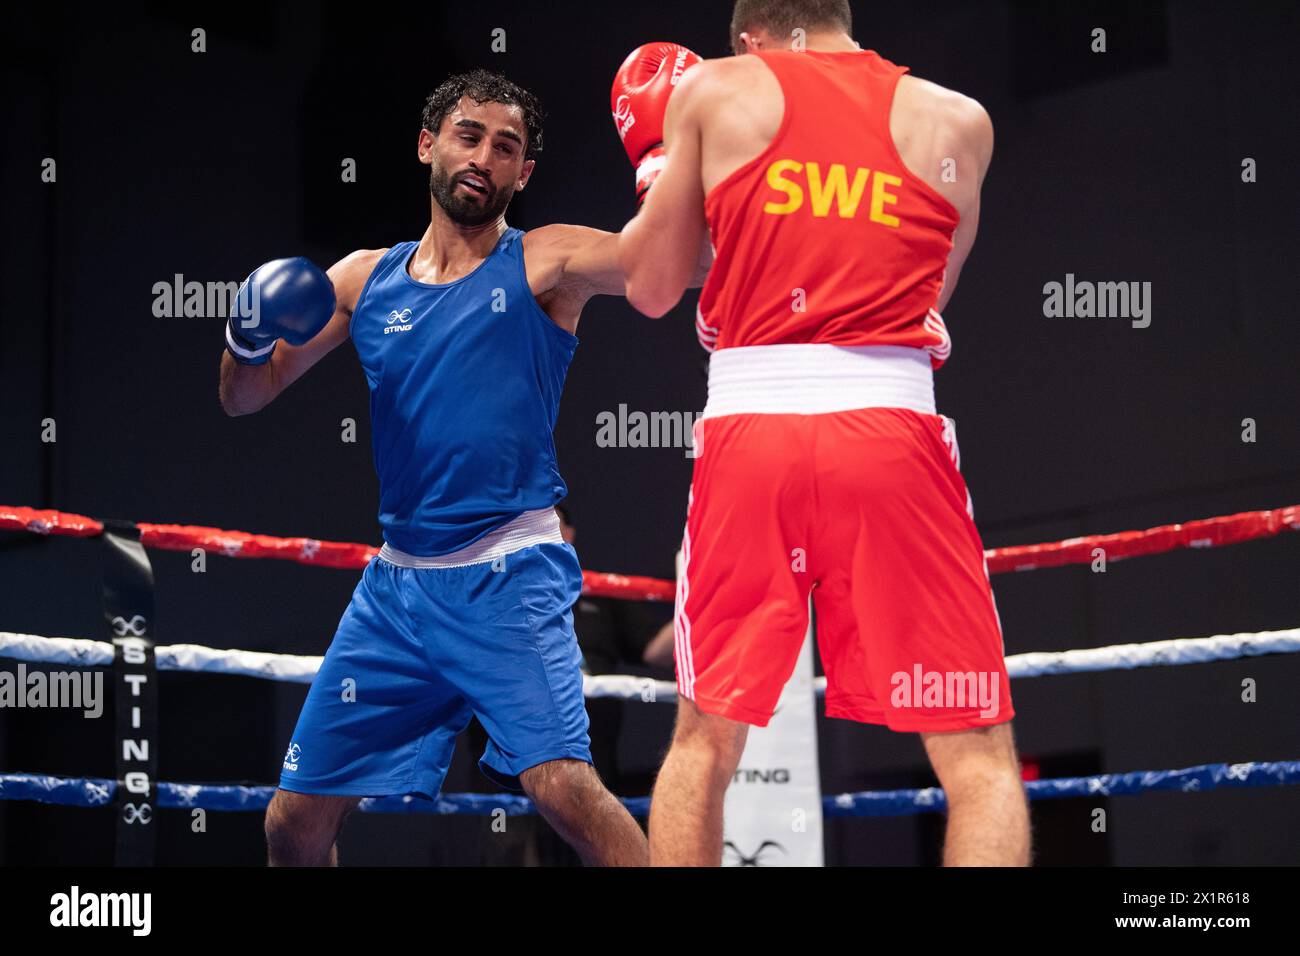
<point x="285" y="299"/>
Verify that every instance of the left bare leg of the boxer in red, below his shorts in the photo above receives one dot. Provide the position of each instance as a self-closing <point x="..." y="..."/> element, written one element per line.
<point x="687" y="808"/>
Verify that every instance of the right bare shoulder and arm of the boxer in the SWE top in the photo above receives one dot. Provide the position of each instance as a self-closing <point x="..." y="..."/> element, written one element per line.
<point x="938" y="131"/>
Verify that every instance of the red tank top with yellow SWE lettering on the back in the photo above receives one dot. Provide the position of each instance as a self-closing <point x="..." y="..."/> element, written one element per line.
<point x="826" y="236"/>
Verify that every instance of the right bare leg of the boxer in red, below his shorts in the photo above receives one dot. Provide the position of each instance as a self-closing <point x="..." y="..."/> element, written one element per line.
<point x="989" y="816"/>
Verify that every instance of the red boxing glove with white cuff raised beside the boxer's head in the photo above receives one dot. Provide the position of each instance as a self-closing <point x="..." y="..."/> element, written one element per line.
<point x="640" y="101"/>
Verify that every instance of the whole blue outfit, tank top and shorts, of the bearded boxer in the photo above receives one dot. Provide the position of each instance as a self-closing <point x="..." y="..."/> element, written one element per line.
<point x="469" y="608"/>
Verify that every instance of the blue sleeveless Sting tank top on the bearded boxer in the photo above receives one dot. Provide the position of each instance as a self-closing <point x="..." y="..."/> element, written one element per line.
<point x="466" y="383"/>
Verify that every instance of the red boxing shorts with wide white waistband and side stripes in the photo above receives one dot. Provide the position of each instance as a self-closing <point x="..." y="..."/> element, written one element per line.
<point x="866" y="512"/>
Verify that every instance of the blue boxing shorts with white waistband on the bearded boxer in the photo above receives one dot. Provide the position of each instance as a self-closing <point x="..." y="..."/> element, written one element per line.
<point x="423" y="647"/>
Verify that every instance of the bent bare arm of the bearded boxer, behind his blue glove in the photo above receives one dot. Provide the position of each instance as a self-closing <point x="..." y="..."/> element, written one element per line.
<point x="246" y="390"/>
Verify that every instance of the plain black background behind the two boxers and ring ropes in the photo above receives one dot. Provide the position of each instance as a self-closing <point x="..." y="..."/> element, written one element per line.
<point x="1123" y="167"/>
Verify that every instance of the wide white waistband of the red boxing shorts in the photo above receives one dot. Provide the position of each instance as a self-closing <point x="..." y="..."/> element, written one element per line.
<point x="817" y="379"/>
